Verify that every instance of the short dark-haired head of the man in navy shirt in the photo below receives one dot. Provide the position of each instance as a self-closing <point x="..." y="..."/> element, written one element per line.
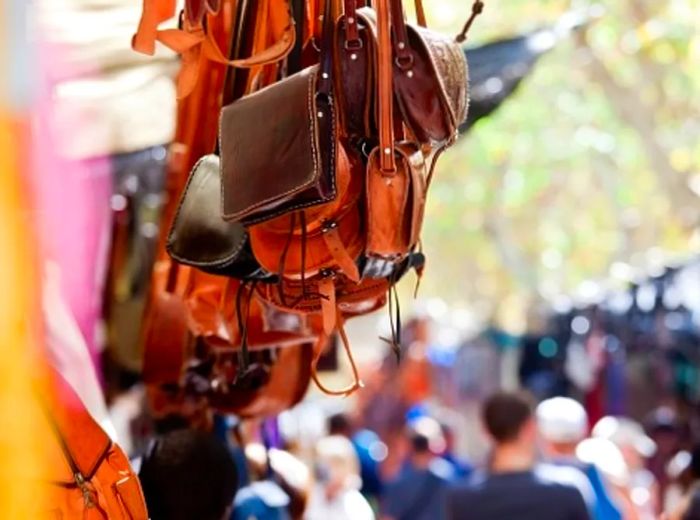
<point x="508" y="420"/>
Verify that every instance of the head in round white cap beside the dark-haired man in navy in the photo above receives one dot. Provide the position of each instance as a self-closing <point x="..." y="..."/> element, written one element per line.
<point x="562" y="424"/>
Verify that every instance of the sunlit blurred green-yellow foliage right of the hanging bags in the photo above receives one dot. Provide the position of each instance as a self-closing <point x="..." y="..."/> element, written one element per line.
<point x="595" y="160"/>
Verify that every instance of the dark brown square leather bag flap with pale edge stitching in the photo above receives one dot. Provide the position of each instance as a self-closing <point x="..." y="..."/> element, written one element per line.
<point x="271" y="159"/>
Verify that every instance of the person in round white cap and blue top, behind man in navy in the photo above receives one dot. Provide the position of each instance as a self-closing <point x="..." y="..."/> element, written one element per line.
<point x="562" y="424"/>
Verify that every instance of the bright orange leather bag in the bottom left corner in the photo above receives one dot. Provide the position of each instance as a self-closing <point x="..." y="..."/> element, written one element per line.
<point x="92" y="478"/>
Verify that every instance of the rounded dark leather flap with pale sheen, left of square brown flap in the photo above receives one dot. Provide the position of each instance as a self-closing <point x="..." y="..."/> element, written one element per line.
<point x="199" y="236"/>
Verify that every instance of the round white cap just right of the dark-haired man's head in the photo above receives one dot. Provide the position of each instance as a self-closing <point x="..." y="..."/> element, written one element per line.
<point x="561" y="419"/>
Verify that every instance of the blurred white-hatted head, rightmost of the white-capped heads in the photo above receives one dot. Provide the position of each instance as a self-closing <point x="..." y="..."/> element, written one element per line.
<point x="629" y="436"/>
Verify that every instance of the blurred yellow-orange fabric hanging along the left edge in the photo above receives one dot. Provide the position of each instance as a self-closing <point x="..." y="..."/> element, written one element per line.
<point x="23" y="441"/>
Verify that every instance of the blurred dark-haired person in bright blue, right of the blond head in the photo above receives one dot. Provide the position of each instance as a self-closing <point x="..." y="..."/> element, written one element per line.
<point x="370" y="451"/>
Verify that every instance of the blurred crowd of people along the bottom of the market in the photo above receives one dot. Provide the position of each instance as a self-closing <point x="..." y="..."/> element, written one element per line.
<point x="542" y="462"/>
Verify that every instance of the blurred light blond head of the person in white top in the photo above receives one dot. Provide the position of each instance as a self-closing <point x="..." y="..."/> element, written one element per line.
<point x="337" y="465"/>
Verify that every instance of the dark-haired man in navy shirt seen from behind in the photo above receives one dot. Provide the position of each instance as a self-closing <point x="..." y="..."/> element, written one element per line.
<point x="513" y="486"/>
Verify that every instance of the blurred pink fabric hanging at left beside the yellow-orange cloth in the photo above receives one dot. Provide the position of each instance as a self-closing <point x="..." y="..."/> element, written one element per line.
<point x="72" y="201"/>
